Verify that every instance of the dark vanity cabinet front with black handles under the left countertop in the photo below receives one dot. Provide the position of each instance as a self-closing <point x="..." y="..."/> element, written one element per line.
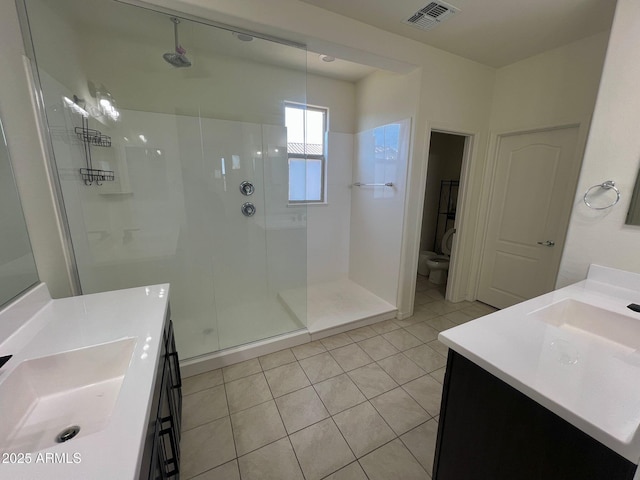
<point x="161" y="456"/>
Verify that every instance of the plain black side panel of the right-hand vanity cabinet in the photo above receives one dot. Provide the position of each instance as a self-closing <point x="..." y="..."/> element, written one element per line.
<point x="489" y="430"/>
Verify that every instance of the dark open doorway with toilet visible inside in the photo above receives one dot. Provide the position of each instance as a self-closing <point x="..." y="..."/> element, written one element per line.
<point x="444" y="169"/>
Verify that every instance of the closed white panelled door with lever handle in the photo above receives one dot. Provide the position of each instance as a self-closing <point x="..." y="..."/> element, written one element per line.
<point x="533" y="191"/>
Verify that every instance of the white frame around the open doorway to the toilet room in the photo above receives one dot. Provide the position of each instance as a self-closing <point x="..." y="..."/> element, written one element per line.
<point x="462" y="247"/>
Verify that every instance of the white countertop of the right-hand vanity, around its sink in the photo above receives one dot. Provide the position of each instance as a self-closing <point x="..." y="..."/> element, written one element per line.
<point x="591" y="382"/>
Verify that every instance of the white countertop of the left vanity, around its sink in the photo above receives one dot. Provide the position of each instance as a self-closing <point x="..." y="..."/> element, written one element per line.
<point x="66" y="324"/>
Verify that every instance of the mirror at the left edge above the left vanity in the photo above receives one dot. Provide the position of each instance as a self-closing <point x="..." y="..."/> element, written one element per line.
<point x="17" y="265"/>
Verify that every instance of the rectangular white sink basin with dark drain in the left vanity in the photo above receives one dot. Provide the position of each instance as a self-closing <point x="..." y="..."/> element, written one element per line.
<point x="46" y="395"/>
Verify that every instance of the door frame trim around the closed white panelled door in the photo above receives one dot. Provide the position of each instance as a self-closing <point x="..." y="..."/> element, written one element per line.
<point x="488" y="190"/>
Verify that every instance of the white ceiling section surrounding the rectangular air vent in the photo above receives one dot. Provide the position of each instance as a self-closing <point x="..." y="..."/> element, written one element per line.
<point x="491" y="32"/>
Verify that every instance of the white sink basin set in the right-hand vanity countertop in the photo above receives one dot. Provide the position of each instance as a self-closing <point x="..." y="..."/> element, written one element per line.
<point x="587" y="319"/>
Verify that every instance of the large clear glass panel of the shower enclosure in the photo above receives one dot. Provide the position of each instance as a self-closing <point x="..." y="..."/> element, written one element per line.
<point x="169" y="149"/>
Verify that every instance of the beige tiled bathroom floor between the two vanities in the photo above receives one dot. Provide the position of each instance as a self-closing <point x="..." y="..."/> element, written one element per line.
<point x="359" y="405"/>
